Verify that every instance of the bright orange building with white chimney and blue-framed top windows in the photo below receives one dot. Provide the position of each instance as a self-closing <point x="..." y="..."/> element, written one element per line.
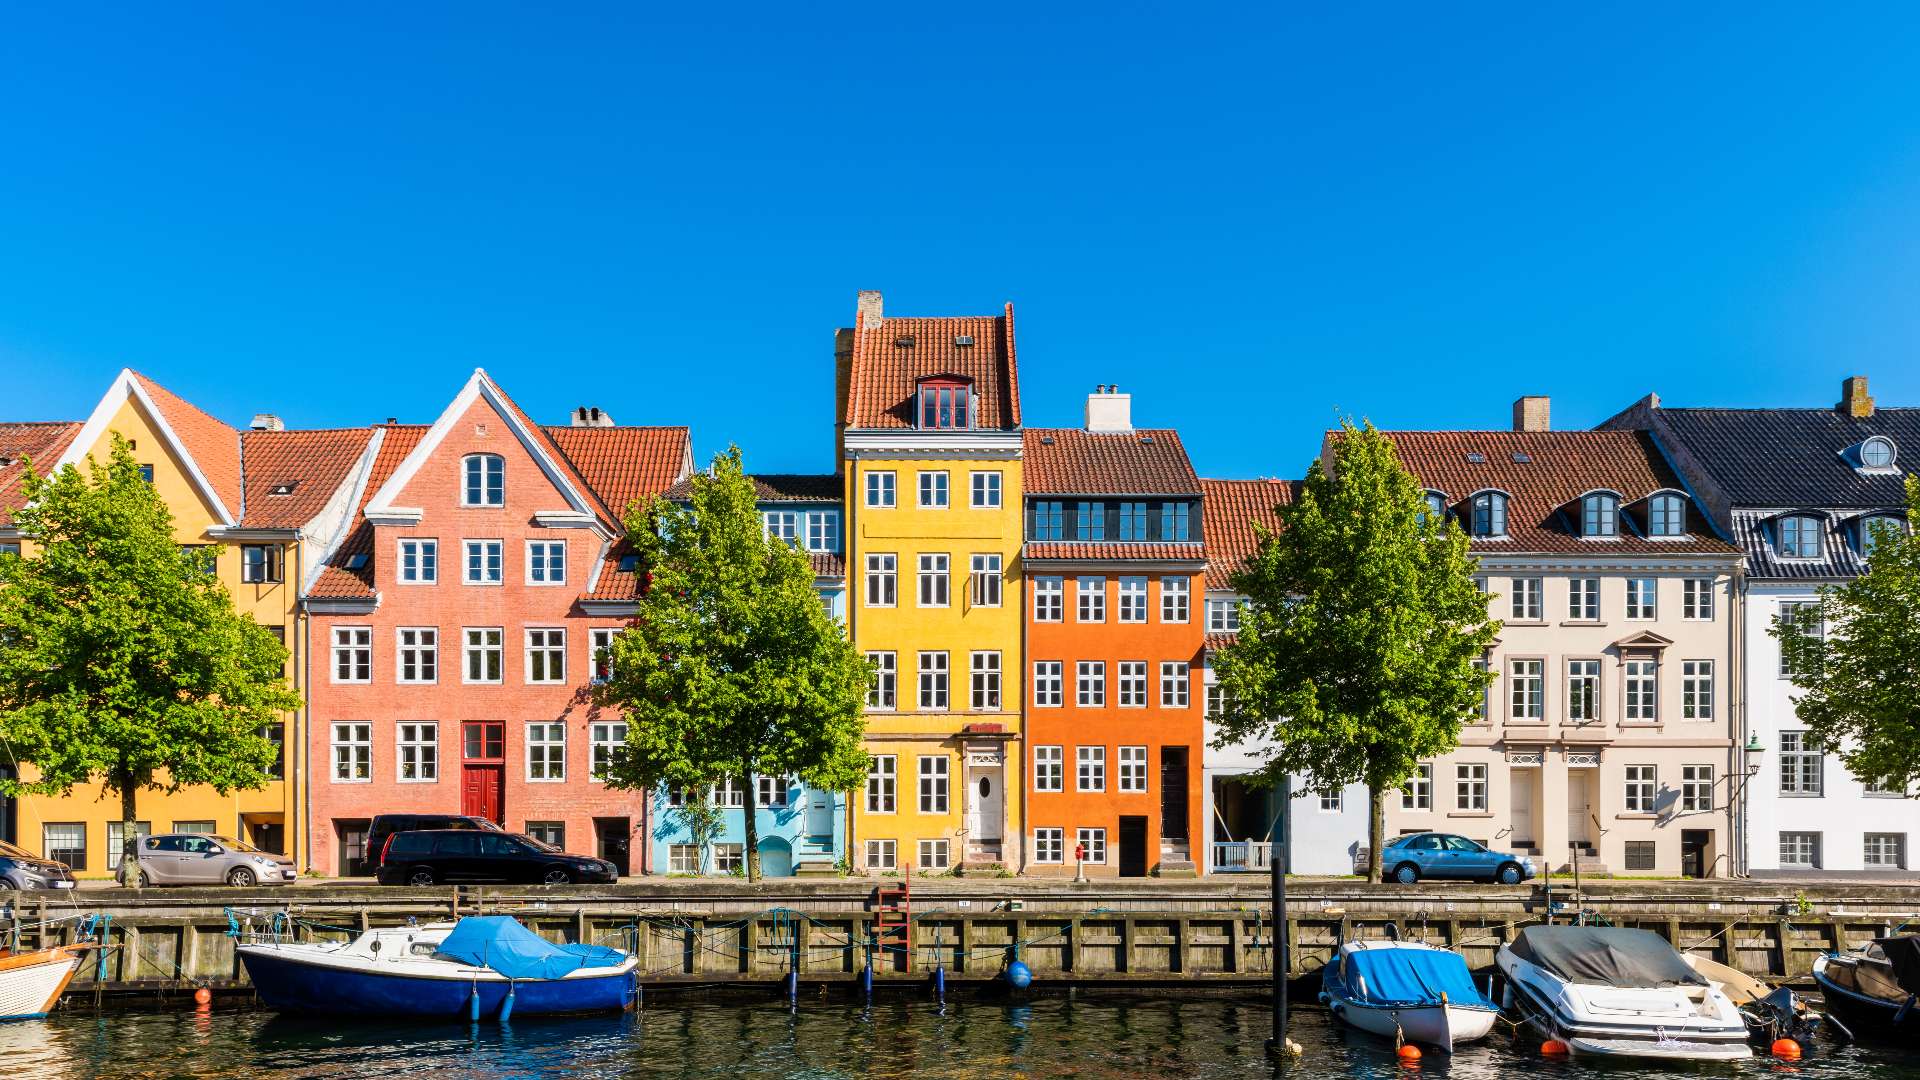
<point x="1115" y="579"/>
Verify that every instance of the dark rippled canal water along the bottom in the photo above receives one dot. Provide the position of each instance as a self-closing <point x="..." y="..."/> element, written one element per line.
<point x="1088" y="1037"/>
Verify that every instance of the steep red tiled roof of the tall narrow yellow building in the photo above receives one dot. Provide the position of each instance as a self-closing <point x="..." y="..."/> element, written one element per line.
<point x="882" y="381"/>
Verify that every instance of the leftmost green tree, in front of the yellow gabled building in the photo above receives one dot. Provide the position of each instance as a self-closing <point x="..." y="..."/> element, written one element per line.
<point x="122" y="656"/>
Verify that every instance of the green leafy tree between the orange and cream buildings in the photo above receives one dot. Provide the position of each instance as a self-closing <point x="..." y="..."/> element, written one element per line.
<point x="1356" y="656"/>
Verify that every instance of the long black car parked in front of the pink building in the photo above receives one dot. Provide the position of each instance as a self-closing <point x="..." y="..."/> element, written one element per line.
<point x="458" y="856"/>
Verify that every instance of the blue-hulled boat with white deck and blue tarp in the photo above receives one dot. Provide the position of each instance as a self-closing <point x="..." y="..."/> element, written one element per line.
<point x="477" y="968"/>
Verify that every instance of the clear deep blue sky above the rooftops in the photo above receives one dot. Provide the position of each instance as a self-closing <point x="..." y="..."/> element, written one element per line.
<point x="1253" y="222"/>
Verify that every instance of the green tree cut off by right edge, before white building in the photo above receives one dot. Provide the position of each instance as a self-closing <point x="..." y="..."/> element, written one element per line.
<point x="1856" y="658"/>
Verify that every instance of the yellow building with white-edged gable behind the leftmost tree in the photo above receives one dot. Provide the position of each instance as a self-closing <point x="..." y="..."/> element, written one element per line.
<point x="277" y="501"/>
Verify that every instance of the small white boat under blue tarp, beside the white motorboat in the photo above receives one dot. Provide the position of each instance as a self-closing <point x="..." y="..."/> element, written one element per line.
<point x="1408" y="993"/>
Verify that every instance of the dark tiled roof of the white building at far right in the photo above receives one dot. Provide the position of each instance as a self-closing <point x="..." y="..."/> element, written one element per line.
<point x="1798" y="458"/>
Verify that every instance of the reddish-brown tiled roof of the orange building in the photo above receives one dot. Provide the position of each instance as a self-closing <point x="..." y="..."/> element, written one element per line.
<point x="1063" y="460"/>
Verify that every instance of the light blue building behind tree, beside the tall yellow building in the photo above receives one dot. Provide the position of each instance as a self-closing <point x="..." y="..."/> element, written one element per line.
<point x="802" y="831"/>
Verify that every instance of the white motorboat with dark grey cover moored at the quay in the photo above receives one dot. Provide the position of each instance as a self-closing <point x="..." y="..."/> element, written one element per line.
<point x="1618" y="993"/>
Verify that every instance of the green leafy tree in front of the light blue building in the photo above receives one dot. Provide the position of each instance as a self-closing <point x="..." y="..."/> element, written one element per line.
<point x="732" y="668"/>
